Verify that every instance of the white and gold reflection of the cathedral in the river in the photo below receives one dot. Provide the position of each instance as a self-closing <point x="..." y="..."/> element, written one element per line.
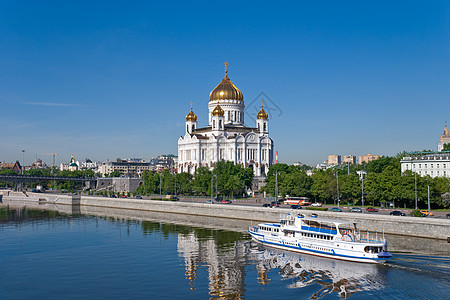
<point x="225" y="273"/>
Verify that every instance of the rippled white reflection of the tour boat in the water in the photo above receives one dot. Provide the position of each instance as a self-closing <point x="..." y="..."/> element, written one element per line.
<point x="342" y="277"/>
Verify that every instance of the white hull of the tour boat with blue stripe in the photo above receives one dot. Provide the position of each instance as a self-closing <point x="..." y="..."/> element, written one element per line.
<point x="260" y="239"/>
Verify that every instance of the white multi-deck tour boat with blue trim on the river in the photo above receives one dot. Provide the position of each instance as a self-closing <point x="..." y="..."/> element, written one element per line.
<point x="322" y="237"/>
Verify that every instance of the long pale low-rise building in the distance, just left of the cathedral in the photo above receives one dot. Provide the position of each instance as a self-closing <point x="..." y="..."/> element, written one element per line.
<point x="126" y="168"/>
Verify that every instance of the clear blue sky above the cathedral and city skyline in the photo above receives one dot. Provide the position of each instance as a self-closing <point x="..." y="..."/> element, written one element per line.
<point x="109" y="79"/>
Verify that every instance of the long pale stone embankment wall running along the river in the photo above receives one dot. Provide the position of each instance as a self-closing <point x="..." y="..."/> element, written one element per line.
<point x="406" y="226"/>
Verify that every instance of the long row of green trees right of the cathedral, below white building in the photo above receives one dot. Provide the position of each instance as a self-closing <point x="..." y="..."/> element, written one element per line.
<point x="383" y="182"/>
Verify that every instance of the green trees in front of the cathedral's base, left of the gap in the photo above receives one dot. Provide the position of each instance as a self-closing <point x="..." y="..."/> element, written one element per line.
<point x="226" y="179"/>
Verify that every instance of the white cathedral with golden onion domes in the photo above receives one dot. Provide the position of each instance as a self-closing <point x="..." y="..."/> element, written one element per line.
<point x="226" y="137"/>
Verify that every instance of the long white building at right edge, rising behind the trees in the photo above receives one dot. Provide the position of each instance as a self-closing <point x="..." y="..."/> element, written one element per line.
<point x="434" y="165"/>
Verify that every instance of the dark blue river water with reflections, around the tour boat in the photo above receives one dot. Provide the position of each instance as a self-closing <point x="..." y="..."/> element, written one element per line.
<point x="49" y="255"/>
